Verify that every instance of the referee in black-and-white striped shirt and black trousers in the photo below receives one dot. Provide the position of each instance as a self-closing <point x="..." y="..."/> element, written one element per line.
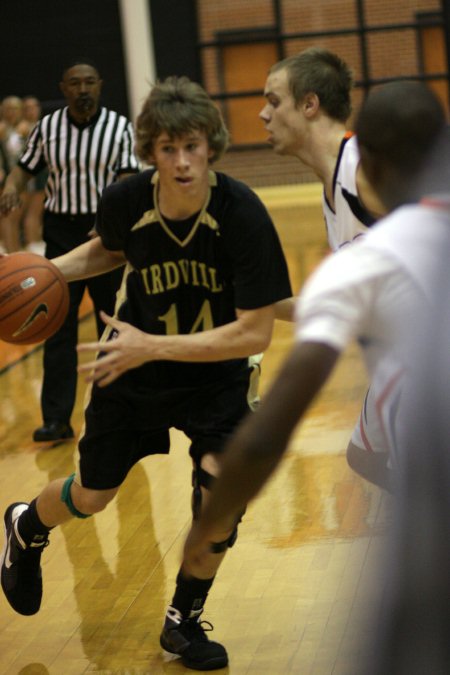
<point x="85" y="147"/>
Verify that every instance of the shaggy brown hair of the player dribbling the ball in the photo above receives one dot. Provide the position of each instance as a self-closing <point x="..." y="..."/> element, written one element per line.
<point x="178" y="106"/>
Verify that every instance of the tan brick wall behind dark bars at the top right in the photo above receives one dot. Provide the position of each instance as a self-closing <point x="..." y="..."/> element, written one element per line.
<point x="390" y="54"/>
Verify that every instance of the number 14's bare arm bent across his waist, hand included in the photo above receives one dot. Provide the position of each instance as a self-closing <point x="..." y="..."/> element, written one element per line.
<point x="249" y="334"/>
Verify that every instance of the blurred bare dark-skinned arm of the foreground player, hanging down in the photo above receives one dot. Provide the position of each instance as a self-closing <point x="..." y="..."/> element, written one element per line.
<point x="257" y="447"/>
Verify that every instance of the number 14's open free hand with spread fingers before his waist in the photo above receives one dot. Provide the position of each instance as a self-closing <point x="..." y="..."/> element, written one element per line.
<point x="126" y="350"/>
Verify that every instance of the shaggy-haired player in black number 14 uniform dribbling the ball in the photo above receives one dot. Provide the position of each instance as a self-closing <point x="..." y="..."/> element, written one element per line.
<point x="204" y="267"/>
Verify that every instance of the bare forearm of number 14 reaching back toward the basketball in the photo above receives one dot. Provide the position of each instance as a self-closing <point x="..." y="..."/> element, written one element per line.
<point x="88" y="260"/>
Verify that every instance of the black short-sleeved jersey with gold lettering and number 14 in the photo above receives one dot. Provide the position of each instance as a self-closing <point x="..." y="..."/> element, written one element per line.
<point x="188" y="276"/>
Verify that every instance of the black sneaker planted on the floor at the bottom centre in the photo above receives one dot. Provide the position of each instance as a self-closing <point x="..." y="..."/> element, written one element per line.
<point x="187" y="638"/>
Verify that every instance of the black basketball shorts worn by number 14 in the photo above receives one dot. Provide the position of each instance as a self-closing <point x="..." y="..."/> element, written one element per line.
<point x="123" y="424"/>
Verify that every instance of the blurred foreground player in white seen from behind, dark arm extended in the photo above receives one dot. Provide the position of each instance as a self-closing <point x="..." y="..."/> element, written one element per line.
<point x="372" y="290"/>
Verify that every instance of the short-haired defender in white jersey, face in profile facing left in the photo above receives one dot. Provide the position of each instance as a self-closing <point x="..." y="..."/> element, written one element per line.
<point x="306" y="114"/>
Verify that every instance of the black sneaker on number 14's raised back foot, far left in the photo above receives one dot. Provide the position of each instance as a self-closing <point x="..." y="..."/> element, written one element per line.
<point x="21" y="565"/>
